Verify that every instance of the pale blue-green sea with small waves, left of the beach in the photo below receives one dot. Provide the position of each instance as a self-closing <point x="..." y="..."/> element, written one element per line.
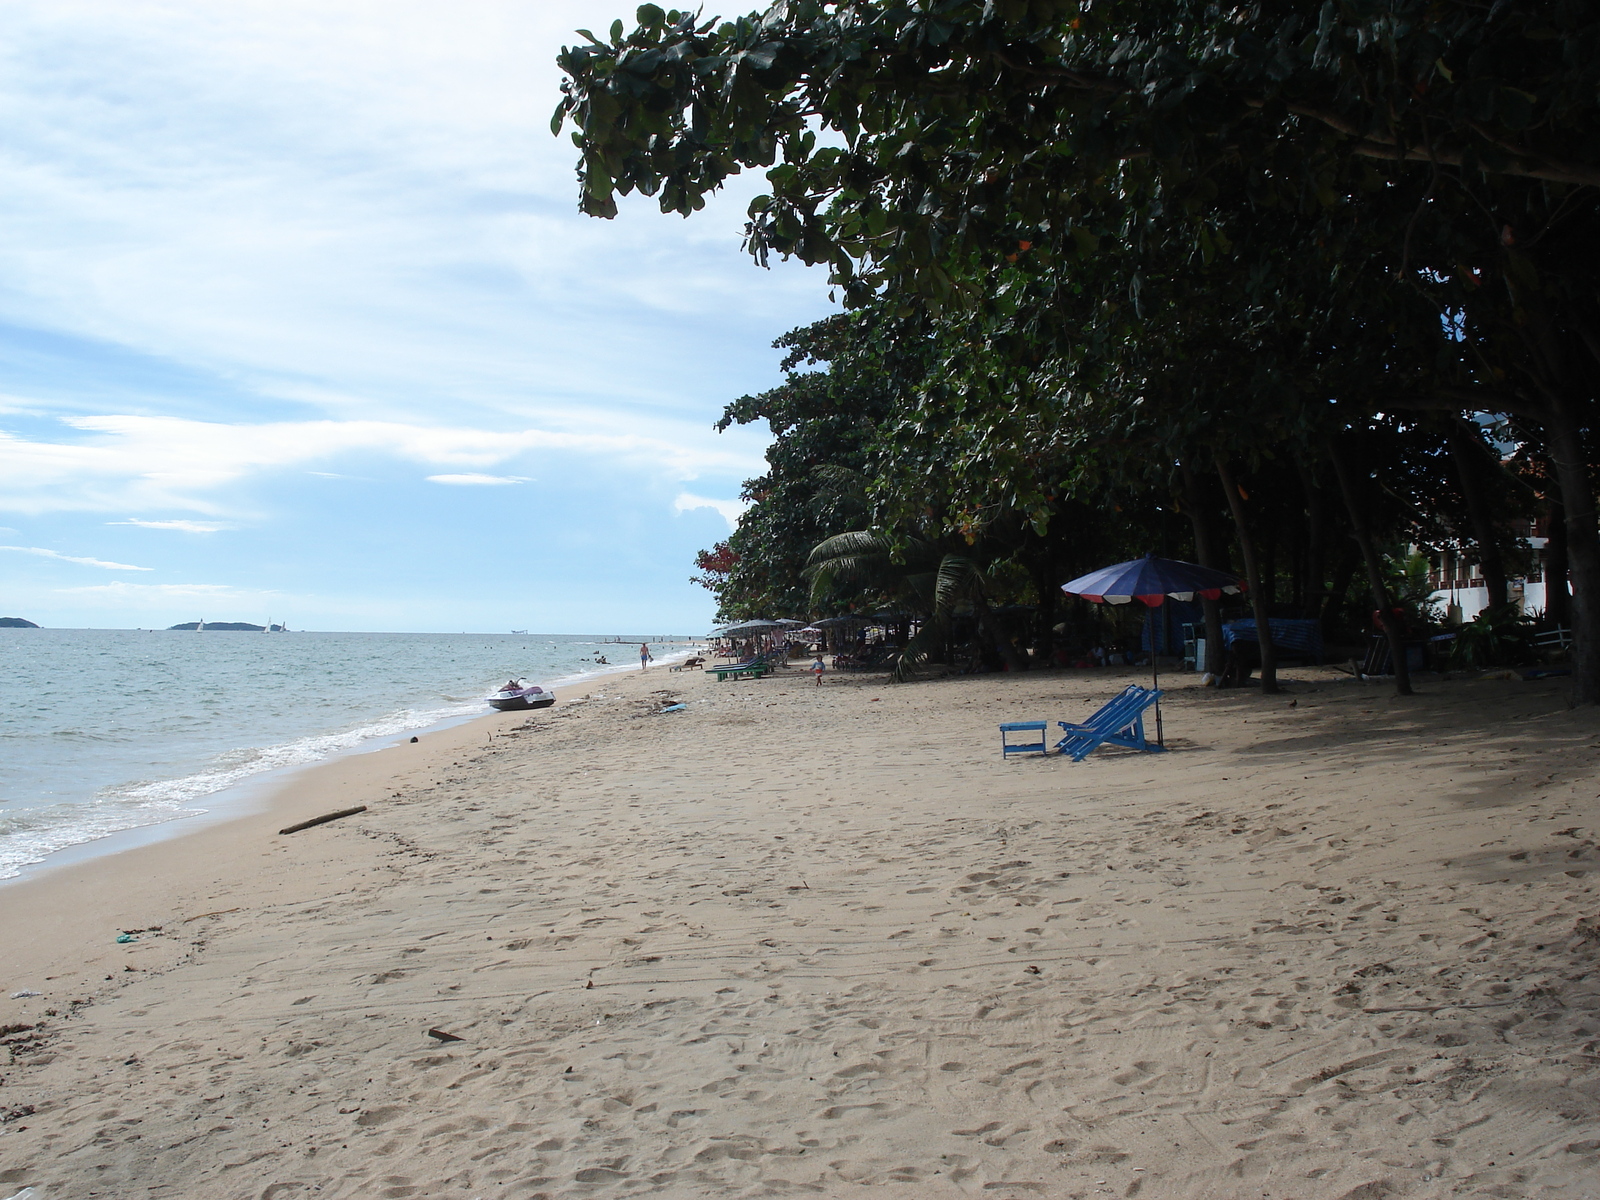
<point x="114" y="730"/>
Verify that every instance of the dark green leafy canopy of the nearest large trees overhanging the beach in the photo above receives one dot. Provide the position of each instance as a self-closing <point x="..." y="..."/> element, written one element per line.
<point x="1143" y="241"/>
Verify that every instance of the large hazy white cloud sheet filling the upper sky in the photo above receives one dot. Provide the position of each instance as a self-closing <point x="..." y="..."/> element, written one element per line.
<point x="359" y="207"/>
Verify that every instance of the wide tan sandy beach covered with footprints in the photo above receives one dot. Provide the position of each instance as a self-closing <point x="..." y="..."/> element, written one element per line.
<point x="825" y="942"/>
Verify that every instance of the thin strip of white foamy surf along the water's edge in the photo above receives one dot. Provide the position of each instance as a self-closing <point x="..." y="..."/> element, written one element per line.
<point x="255" y="793"/>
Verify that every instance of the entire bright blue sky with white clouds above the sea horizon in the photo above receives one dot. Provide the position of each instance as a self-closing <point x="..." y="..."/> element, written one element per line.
<point x="300" y="322"/>
